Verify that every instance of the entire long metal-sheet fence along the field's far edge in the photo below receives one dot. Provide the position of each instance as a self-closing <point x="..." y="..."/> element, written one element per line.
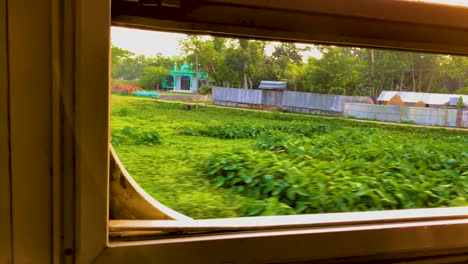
<point x="337" y="104"/>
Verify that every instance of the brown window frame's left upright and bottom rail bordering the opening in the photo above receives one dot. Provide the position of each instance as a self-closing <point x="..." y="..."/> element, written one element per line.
<point x="424" y="237"/>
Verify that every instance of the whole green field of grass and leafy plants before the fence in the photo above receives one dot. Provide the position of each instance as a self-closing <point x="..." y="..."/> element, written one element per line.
<point x="217" y="162"/>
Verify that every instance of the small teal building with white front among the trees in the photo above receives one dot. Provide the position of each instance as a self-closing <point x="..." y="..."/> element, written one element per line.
<point x="183" y="79"/>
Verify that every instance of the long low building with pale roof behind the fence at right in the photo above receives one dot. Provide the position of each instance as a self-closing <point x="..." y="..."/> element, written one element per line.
<point x="434" y="100"/>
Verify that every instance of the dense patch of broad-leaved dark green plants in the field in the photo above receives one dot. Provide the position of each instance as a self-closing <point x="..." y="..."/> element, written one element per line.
<point x="354" y="170"/>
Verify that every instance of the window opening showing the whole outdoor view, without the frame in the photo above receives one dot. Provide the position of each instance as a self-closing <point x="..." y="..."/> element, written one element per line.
<point x="270" y="128"/>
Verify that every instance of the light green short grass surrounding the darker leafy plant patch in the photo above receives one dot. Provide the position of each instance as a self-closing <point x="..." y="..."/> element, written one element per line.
<point x="162" y="146"/>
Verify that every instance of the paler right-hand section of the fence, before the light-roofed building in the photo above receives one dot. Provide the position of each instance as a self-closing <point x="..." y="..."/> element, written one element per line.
<point x="394" y="113"/>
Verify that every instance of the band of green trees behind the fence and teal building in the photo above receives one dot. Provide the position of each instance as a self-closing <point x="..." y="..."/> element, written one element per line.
<point x="339" y="70"/>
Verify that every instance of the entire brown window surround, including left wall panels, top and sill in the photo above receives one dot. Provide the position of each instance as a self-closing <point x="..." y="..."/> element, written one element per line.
<point x="72" y="182"/>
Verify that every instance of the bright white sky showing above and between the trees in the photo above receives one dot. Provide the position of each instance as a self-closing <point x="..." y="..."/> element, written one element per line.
<point x="150" y="43"/>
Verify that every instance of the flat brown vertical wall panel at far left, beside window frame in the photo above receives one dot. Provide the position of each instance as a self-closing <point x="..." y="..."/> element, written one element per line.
<point x="29" y="69"/>
